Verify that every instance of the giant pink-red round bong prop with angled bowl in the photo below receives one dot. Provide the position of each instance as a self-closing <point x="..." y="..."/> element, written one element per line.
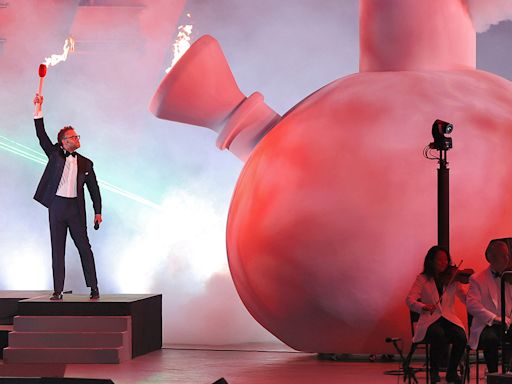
<point x="335" y="207"/>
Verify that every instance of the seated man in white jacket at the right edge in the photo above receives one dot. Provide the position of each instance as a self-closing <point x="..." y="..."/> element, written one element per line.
<point x="484" y="304"/>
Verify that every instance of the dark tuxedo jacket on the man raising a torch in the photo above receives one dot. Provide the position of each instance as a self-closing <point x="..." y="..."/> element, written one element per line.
<point x="49" y="182"/>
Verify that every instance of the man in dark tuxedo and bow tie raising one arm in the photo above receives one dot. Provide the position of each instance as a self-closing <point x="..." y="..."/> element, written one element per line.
<point x="61" y="190"/>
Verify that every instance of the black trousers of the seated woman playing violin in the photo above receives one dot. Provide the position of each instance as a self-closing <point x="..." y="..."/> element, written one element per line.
<point x="439" y="335"/>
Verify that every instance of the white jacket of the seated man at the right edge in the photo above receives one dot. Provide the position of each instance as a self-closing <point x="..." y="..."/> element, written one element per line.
<point x="484" y="303"/>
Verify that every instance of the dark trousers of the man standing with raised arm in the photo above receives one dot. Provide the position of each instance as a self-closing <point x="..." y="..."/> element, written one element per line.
<point x="64" y="214"/>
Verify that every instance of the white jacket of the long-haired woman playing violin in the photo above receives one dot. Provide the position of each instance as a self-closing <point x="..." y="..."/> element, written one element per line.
<point x="424" y="291"/>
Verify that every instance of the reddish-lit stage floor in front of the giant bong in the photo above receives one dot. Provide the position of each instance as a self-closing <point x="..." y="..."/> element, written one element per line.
<point x="203" y="366"/>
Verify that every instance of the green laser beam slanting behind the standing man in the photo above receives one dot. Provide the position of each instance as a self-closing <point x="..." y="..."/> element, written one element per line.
<point x="30" y="154"/>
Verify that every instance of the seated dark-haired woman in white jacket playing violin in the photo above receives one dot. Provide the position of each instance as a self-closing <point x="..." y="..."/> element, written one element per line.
<point x="433" y="296"/>
